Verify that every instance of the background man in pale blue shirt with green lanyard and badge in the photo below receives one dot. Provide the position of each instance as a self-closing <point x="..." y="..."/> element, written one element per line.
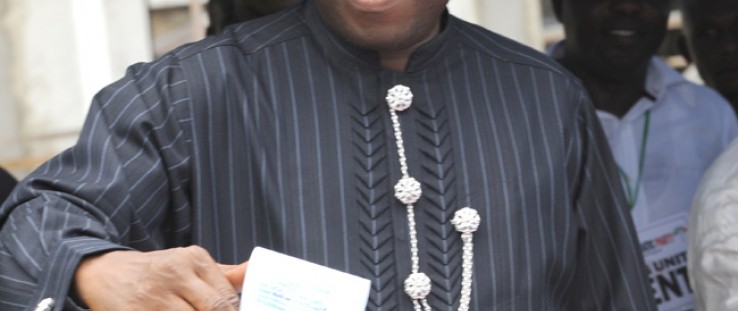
<point x="663" y="130"/>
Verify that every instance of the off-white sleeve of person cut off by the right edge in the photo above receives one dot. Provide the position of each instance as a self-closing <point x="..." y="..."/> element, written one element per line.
<point x="713" y="235"/>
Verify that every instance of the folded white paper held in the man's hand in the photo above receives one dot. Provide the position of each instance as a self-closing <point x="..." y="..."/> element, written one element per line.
<point x="275" y="281"/>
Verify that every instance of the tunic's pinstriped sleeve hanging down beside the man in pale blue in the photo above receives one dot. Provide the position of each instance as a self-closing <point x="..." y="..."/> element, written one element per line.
<point x="611" y="272"/>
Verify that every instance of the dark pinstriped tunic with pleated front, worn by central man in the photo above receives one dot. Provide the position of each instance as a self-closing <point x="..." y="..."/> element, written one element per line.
<point x="277" y="134"/>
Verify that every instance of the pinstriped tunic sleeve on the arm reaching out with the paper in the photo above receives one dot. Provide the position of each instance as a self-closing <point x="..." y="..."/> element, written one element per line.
<point x="112" y="190"/>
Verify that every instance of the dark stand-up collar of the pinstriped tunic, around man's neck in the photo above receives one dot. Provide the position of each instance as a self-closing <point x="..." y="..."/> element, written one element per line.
<point x="336" y="47"/>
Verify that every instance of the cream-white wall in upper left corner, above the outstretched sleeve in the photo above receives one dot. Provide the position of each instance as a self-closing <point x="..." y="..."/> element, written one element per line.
<point x="58" y="54"/>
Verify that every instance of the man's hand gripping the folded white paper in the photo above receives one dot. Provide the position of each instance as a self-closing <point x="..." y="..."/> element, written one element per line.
<point x="172" y="279"/>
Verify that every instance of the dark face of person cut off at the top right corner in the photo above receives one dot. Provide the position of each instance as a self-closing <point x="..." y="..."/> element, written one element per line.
<point x="710" y="29"/>
